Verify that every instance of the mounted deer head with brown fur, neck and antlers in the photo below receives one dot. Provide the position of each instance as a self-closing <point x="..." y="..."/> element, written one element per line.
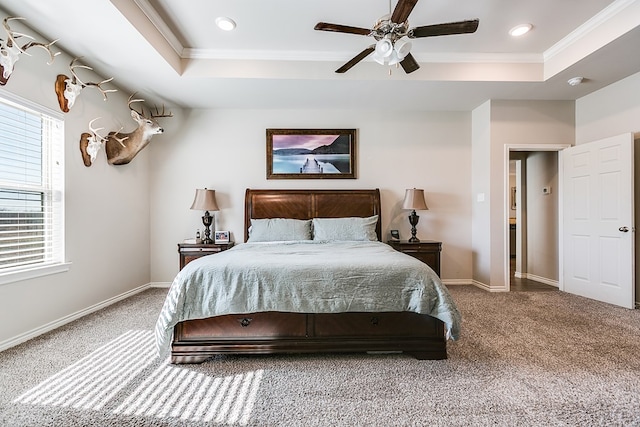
<point x="121" y="148"/>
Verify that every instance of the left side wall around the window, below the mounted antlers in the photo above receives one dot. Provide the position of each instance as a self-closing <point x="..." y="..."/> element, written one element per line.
<point x="107" y="212"/>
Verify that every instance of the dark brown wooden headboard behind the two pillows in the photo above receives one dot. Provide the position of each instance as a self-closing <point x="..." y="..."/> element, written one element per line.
<point x="308" y="204"/>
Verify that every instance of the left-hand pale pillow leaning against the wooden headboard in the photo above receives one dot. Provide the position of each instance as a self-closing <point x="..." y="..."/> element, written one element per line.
<point x="279" y="229"/>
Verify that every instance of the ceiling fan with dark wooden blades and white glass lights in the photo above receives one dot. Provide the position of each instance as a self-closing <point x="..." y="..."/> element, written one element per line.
<point x="392" y="34"/>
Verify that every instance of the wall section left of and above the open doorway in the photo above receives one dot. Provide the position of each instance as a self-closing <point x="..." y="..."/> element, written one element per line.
<point x="500" y="124"/>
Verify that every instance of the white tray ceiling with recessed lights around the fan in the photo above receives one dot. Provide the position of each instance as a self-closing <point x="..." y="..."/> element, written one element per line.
<point x="171" y="51"/>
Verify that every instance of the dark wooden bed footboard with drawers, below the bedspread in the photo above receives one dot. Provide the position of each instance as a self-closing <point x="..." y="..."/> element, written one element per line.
<point x="420" y="335"/>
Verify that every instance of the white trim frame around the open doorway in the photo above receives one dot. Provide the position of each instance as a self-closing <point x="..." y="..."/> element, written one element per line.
<point x="507" y="205"/>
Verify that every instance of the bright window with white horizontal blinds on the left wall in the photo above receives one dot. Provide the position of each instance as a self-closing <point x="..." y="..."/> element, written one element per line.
<point x="31" y="187"/>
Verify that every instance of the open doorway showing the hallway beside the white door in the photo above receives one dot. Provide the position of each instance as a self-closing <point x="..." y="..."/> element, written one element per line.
<point x="532" y="219"/>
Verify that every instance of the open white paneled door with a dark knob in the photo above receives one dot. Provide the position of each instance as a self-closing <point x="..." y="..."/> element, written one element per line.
<point x="598" y="229"/>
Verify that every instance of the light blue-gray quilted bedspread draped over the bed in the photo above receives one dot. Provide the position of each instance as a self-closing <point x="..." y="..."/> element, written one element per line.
<point x="304" y="277"/>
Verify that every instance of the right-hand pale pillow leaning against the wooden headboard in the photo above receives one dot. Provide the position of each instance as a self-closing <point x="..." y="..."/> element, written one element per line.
<point x="345" y="228"/>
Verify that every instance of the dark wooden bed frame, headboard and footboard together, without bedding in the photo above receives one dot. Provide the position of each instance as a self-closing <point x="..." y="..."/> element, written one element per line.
<point x="278" y="332"/>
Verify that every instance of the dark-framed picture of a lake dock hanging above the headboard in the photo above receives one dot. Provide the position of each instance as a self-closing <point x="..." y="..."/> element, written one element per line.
<point x="311" y="153"/>
